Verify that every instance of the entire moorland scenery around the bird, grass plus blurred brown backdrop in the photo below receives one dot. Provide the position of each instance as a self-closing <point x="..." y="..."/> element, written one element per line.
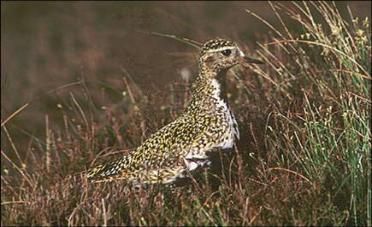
<point x="95" y="86"/>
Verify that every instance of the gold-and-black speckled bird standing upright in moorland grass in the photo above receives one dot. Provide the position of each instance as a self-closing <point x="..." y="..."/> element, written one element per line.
<point x="207" y="124"/>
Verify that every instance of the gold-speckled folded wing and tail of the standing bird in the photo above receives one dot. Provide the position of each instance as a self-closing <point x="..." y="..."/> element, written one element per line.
<point x="179" y="145"/>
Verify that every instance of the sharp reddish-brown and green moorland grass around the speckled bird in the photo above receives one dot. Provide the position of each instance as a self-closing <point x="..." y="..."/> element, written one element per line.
<point x="303" y="158"/>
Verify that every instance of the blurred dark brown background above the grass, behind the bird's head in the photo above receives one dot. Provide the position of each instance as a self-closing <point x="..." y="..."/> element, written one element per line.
<point x="51" y="50"/>
